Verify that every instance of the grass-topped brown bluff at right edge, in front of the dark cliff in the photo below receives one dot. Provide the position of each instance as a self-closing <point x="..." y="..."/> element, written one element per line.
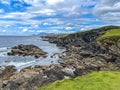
<point x="111" y="41"/>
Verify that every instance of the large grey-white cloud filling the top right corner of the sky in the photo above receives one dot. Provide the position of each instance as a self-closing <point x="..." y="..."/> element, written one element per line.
<point x="108" y="10"/>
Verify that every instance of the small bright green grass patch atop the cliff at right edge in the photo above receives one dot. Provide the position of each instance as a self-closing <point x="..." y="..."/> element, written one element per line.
<point x="111" y="33"/>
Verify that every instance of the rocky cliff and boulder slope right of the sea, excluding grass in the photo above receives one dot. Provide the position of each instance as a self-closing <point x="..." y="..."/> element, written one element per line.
<point x="86" y="52"/>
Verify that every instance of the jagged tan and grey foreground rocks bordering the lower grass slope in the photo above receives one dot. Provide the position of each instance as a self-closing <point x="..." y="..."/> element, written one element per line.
<point x="31" y="78"/>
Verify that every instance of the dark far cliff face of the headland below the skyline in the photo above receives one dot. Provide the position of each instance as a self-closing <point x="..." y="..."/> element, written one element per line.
<point x="79" y="38"/>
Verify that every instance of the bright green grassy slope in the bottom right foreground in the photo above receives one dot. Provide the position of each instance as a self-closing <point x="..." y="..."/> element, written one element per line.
<point x="103" y="80"/>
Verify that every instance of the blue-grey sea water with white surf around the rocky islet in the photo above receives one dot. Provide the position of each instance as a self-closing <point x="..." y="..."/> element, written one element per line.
<point x="6" y="42"/>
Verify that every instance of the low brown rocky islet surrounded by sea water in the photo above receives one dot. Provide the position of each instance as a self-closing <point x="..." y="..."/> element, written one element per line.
<point x="26" y="50"/>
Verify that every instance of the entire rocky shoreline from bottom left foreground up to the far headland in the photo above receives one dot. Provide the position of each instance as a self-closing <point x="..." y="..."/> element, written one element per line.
<point x="84" y="53"/>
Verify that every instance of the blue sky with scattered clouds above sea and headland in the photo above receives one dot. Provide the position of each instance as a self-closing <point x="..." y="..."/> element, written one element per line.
<point x="28" y="17"/>
